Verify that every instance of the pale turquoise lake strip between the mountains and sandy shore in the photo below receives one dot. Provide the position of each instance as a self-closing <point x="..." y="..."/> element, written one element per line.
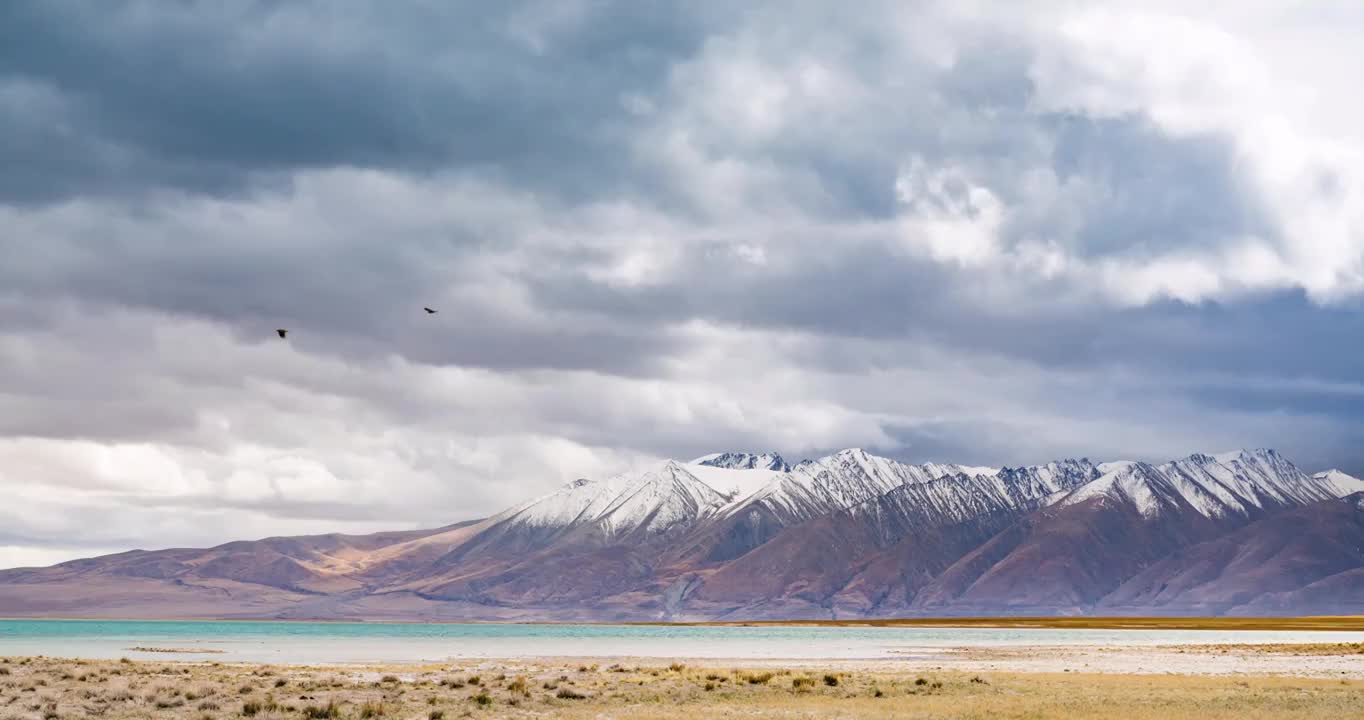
<point x="321" y="643"/>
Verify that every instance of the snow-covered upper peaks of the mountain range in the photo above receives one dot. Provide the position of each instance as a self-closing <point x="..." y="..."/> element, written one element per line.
<point x="745" y="489"/>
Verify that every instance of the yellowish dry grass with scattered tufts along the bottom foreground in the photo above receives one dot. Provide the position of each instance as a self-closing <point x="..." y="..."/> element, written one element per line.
<point x="51" y="689"/>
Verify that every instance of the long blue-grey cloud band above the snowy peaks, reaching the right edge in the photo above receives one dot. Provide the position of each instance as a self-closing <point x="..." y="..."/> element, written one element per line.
<point x="859" y="290"/>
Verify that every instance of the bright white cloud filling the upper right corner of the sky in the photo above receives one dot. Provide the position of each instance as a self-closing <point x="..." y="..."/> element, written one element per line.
<point x="1295" y="126"/>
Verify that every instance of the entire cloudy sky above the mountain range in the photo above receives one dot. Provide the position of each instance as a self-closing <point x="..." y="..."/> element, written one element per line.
<point x="977" y="232"/>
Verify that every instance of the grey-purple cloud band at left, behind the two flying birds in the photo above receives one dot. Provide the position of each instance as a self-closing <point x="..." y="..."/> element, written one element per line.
<point x="343" y="292"/>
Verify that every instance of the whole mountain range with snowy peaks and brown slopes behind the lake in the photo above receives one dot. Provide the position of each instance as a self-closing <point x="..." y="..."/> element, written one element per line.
<point x="739" y="537"/>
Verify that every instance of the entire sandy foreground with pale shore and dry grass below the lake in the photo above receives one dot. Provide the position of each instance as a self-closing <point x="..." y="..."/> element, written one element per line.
<point x="1209" y="684"/>
